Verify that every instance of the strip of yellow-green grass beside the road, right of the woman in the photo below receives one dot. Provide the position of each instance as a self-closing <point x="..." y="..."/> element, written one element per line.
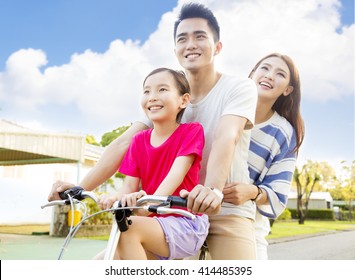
<point x="292" y="228"/>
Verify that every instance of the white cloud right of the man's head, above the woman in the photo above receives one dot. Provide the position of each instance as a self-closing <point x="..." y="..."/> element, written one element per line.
<point x="305" y="30"/>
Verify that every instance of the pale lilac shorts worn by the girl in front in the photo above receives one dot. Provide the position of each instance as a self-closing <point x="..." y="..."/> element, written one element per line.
<point x="184" y="236"/>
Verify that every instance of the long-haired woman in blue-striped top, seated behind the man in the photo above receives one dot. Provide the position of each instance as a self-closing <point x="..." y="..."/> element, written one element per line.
<point x="275" y="140"/>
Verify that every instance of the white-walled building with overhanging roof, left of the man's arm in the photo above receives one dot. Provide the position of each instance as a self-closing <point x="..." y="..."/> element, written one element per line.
<point x="30" y="161"/>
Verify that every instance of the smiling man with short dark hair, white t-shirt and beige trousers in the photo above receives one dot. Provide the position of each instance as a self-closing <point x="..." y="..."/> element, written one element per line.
<point x="225" y="106"/>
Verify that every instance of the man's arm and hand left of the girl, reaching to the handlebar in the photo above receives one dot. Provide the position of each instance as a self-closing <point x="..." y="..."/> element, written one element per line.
<point x="107" y="165"/>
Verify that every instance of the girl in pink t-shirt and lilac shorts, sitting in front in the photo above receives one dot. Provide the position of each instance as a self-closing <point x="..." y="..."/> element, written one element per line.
<point x="164" y="160"/>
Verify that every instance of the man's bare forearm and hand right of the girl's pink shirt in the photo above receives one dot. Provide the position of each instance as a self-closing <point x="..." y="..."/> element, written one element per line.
<point x="202" y="199"/>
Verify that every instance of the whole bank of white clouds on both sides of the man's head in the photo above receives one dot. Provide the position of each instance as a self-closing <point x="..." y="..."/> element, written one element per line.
<point x="107" y="85"/>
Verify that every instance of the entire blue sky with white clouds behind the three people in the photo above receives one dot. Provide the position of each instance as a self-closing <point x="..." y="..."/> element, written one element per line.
<point x="77" y="66"/>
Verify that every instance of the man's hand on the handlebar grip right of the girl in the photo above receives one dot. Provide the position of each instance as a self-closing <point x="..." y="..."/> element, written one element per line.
<point x="202" y="200"/>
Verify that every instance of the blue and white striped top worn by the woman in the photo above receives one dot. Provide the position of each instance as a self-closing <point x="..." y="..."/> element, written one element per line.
<point x="272" y="162"/>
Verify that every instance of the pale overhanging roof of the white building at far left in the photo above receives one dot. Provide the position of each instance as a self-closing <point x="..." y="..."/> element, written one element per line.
<point x="20" y="145"/>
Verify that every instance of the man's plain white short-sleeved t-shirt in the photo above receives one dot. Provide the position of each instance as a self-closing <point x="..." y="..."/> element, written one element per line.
<point x="230" y="96"/>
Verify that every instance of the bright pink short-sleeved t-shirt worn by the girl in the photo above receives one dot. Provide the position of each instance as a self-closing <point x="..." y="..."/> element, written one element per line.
<point x="152" y="164"/>
